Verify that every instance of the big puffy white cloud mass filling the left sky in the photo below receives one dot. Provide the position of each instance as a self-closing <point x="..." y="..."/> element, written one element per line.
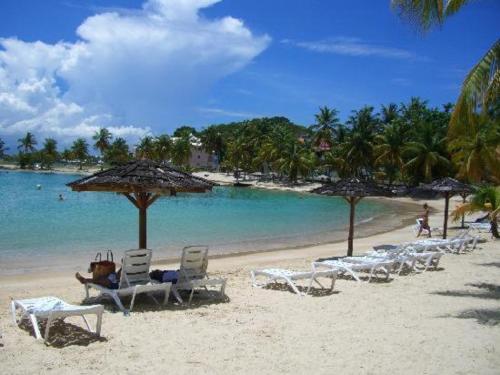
<point x="129" y="70"/>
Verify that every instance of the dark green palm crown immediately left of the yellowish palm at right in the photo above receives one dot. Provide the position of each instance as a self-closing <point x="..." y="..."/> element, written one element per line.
<point x="426" y="154"/>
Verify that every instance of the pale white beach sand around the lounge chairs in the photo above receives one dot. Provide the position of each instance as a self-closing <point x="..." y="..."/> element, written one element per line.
<point x="438" y="322"/>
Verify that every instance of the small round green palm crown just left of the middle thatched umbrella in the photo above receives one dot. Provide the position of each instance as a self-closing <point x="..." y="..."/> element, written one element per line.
<point x="297" y="161"/>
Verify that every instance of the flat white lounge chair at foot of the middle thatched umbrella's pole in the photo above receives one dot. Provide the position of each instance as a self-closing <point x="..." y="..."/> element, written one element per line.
<point x="352" y="265"/>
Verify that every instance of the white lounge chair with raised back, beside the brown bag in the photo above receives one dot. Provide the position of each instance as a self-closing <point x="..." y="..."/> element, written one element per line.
<point x="134" y="279"/>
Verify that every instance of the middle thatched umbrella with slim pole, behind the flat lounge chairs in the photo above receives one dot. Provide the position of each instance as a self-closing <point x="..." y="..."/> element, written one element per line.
<point x="352" y="190"/>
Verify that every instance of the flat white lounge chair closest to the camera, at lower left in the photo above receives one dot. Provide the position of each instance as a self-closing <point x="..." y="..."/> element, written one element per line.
<point x="52" y="308"/>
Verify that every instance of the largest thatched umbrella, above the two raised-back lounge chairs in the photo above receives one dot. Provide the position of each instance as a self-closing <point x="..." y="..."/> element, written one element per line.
<point x="142" y="182"/>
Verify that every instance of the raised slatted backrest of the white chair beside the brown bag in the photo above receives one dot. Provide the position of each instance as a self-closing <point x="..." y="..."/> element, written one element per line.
<point x="135" y="267"/>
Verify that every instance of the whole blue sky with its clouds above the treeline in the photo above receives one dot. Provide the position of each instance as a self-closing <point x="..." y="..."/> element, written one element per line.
<point x="138" y="67"/>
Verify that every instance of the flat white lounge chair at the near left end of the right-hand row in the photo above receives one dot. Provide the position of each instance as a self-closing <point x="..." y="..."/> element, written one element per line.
<point x="275" y="274"/>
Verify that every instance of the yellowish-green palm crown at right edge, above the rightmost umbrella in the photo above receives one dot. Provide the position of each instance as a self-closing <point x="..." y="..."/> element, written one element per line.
<point x="475" y="152"/>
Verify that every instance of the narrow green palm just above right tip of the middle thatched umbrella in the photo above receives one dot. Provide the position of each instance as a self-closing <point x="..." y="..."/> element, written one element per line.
<point x="389" y="149"/>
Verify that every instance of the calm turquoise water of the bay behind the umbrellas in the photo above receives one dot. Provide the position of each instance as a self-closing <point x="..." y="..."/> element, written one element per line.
<point x="36" y="226"/>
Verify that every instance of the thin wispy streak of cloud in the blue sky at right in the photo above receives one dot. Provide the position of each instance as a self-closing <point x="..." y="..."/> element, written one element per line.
<point x="353" y="47"/>
